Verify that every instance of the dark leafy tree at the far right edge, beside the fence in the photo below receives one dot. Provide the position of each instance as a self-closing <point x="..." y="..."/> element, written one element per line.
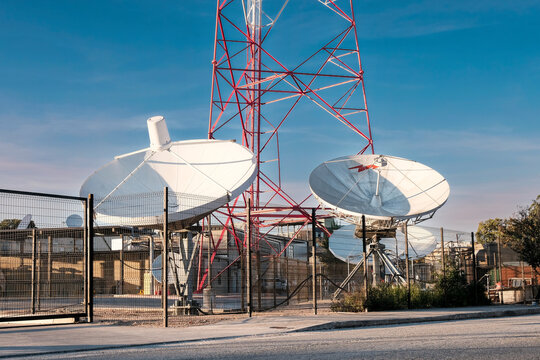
<point x="522" y="234"/>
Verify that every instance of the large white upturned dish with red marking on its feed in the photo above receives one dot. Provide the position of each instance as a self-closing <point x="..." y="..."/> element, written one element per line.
<point x="381" y="187"/>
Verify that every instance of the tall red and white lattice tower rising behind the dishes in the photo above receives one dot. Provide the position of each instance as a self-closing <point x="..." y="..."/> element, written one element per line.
<point x="254" y="94"/>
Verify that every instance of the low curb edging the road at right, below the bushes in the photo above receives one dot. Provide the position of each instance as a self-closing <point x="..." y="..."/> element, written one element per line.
<point x="452" y="317"/>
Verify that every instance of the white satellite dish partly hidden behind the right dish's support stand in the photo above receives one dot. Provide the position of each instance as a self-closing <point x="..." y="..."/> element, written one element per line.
<point x="422" y="241"/>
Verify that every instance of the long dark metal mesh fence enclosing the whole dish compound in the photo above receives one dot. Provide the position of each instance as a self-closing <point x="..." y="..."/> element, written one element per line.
<point x="43" y="262"/>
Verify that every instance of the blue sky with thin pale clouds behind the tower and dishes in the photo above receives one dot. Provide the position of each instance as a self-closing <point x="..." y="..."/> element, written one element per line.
<point x="451" y="84"/>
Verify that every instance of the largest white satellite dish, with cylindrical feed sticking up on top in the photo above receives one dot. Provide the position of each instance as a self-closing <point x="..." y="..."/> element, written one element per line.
<point x="202" y="175"/>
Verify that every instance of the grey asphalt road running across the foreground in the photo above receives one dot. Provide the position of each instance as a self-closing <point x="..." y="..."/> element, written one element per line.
<point x="499" y="338"/>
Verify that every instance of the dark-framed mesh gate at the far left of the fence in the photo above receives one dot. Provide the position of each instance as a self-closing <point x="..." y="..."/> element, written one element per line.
<point x="43" y="256"/>
